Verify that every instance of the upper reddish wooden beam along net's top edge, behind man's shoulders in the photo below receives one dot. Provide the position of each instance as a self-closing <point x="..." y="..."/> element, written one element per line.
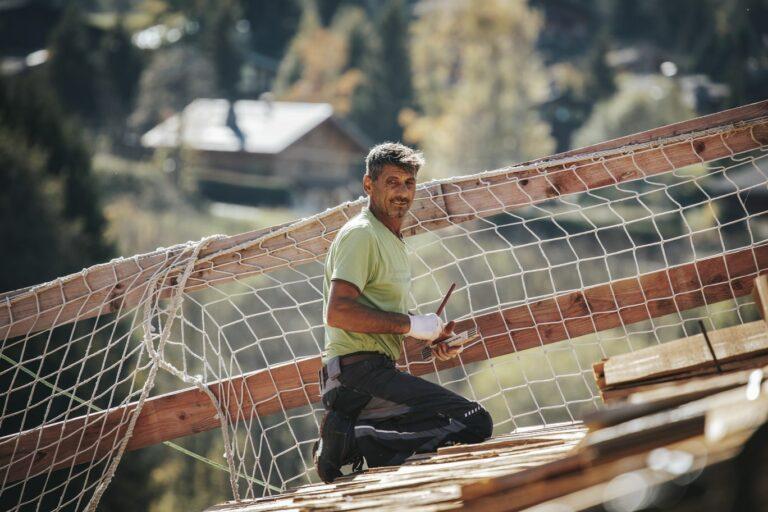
<point x="108" y="288"/>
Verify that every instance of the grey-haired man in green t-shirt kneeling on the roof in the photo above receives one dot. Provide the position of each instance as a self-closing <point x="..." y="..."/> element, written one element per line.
<point x="373" y="410"/>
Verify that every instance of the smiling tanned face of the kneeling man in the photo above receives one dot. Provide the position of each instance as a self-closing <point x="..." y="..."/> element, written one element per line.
<point x="392" y="192"/>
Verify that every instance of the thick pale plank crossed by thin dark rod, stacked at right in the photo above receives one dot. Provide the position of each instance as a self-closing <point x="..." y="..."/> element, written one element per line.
<point x="739" y="341"/>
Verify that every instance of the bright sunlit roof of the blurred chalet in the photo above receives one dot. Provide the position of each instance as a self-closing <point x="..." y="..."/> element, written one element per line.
<point x="257" y="126"/>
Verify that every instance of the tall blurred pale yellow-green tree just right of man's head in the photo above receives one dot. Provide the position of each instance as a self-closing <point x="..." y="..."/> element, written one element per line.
<point x="479" y="82"/>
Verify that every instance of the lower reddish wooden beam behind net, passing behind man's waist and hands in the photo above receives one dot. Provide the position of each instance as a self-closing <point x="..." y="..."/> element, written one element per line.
<point x="294" y="384"/>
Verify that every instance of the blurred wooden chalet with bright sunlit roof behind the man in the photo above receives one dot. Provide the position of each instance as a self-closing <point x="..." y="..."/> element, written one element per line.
<point x="263" y="151"/>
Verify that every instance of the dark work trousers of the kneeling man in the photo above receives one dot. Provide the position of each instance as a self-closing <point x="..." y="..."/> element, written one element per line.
<point x="397" y="414"/>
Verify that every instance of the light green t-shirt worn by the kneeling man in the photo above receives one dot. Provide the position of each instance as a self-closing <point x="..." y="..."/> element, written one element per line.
<point x="368" y="255"/>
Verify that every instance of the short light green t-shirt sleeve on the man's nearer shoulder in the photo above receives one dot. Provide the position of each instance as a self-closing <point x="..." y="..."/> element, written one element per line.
<point x="353" y="259"/>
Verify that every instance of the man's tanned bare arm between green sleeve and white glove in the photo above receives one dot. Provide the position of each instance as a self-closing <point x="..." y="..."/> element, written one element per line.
<point x="344" y="312"/>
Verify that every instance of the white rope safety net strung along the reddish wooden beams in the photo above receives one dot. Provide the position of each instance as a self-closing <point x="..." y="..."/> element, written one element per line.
<point x="524" y="245"/>
